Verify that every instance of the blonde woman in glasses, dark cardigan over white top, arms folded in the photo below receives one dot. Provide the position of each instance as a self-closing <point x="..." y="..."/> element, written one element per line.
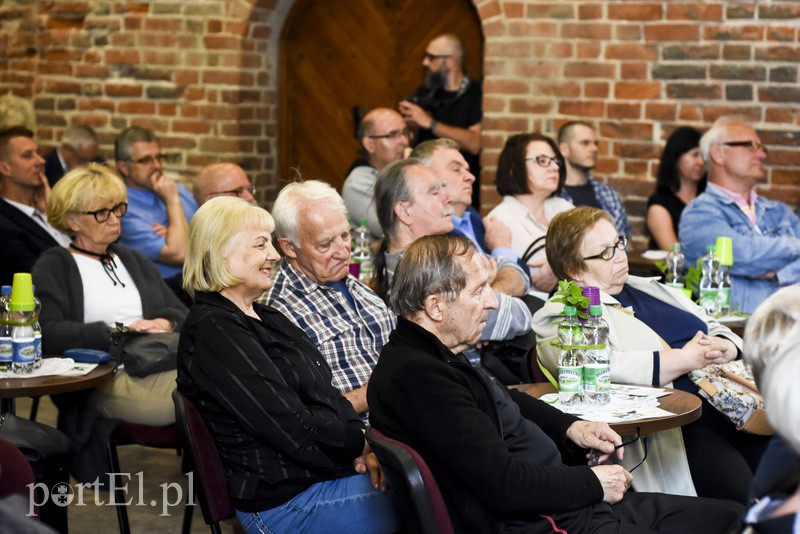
<point x="94" y="283"/>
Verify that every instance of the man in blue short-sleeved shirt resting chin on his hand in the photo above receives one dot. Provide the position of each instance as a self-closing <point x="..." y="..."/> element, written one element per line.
<point x="159" y="209"/>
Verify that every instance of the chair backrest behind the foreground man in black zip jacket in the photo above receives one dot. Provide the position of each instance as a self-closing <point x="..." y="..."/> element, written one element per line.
<point x="419" y="499"/>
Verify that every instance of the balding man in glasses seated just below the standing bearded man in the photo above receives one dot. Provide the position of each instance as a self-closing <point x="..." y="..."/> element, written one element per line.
<point x="384" y="139"/>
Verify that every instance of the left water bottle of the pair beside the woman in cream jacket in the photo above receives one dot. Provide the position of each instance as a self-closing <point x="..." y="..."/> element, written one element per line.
<point x="570" y="361"/>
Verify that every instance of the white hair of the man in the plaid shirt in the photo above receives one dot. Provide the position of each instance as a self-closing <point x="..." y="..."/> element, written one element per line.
<point x="291" y="199"/>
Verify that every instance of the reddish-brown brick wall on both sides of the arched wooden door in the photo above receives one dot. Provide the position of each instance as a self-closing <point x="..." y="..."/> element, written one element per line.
<point x="202" y="74"/>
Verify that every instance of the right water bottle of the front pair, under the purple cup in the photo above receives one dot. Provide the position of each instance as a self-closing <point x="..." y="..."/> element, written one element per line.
<point x="597" y="362"/>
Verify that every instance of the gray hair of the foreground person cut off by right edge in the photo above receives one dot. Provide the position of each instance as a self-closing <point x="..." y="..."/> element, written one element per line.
<point x="770" y="347"/>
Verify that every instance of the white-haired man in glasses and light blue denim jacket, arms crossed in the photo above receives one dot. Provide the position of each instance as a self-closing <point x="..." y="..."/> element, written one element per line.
<point x="765" y="233"/>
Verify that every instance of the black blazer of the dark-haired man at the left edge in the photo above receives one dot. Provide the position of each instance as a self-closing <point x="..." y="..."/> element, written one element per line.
<point x="23" y="240"/>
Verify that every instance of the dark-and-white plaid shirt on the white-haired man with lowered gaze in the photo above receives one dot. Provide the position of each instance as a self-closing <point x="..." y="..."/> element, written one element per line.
<point x="350" y="339"/>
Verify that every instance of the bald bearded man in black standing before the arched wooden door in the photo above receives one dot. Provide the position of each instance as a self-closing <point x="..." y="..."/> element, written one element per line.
<point x="448" y="104"/>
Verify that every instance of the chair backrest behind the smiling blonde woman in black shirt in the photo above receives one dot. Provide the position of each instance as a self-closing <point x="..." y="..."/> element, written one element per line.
<point x="209" y="475"/>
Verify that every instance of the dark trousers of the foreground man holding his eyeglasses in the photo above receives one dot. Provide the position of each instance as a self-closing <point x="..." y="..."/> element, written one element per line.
<point x="641" y="513"/>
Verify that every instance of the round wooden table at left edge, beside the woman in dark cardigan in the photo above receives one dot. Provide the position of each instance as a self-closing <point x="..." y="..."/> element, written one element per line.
<point x="11" y="388"/>
